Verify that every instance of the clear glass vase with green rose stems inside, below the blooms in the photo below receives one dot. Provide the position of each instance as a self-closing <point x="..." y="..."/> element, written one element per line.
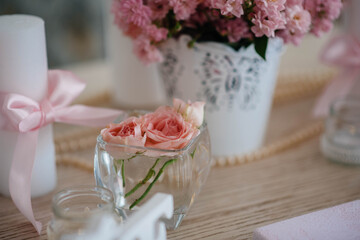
<point x="134" y="174"/>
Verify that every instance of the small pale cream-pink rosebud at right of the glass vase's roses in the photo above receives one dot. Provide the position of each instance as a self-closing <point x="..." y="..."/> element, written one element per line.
<point x="192" y="112"/>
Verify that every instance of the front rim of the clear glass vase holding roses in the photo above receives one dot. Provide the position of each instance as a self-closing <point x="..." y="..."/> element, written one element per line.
<point x="202" y="128"/>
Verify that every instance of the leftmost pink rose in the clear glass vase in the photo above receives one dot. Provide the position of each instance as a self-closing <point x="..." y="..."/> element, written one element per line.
<point x="128" y="132"/>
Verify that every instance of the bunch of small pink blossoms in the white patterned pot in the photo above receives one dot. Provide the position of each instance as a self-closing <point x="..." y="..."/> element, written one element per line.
<point x="237" y="23"/>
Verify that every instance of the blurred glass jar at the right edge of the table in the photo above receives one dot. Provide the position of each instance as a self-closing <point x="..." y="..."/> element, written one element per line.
<point x="341" y="140"/>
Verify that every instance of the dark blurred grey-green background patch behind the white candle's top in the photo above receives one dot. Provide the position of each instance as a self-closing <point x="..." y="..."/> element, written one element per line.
<point x="75" y="29"/>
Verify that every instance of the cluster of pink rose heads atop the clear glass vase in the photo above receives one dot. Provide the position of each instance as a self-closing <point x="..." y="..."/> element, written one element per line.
<point x="169" y="128"/>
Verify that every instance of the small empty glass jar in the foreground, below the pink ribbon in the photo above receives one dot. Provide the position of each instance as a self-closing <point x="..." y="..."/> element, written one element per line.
<point x="73" y="207"/>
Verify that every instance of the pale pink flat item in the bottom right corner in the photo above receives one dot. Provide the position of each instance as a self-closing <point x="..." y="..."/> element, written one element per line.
<point x="336" y="223"/>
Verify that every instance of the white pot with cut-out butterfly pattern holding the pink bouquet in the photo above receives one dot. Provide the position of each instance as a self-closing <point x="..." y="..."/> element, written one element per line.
<point x="237" y="87"/>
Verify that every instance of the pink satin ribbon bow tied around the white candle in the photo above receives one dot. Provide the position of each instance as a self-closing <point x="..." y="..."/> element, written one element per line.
<point x="26" y="116"/>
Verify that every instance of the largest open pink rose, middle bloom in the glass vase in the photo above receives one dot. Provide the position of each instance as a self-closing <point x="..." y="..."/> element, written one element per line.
<point x="166" y="129"/>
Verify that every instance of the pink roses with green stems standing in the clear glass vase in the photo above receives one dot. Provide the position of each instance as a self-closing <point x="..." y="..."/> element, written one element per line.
<point x="168" y="128"/>
